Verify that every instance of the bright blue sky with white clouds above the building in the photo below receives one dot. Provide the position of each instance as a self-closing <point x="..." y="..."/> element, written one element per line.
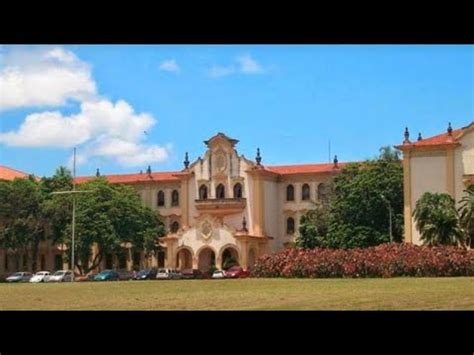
<point x="287" y="100"/>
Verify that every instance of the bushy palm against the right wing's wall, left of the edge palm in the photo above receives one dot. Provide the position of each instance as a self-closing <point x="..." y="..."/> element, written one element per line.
<point x="437" y="220"/>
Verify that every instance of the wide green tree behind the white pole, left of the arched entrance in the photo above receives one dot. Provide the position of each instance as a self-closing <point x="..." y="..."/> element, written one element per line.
<point x="107" y="217"/>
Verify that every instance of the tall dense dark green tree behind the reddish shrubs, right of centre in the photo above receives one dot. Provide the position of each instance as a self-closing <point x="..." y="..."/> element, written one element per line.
<point x="359" y="211"/>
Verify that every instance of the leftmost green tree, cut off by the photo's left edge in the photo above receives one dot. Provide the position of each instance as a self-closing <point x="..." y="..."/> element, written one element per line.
<point x="22" y="223"/>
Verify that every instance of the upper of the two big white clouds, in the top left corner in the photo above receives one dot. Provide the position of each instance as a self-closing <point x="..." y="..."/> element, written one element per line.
<point x="43" y="77"/>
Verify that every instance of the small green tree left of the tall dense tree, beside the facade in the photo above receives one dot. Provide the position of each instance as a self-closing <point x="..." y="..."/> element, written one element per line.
<point x="313" y="229"/>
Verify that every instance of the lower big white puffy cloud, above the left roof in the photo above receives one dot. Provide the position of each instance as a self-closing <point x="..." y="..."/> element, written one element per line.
<point x="103" y="129"/>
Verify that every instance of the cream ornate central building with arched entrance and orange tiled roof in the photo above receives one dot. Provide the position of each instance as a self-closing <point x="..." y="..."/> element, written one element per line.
<point x="220" y="206"/>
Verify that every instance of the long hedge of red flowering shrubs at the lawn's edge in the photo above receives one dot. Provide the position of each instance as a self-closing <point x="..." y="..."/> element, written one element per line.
<point x="385" y="260"/>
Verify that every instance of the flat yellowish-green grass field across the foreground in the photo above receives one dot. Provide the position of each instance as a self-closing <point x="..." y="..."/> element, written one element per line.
<point x="244" y="294"/>
